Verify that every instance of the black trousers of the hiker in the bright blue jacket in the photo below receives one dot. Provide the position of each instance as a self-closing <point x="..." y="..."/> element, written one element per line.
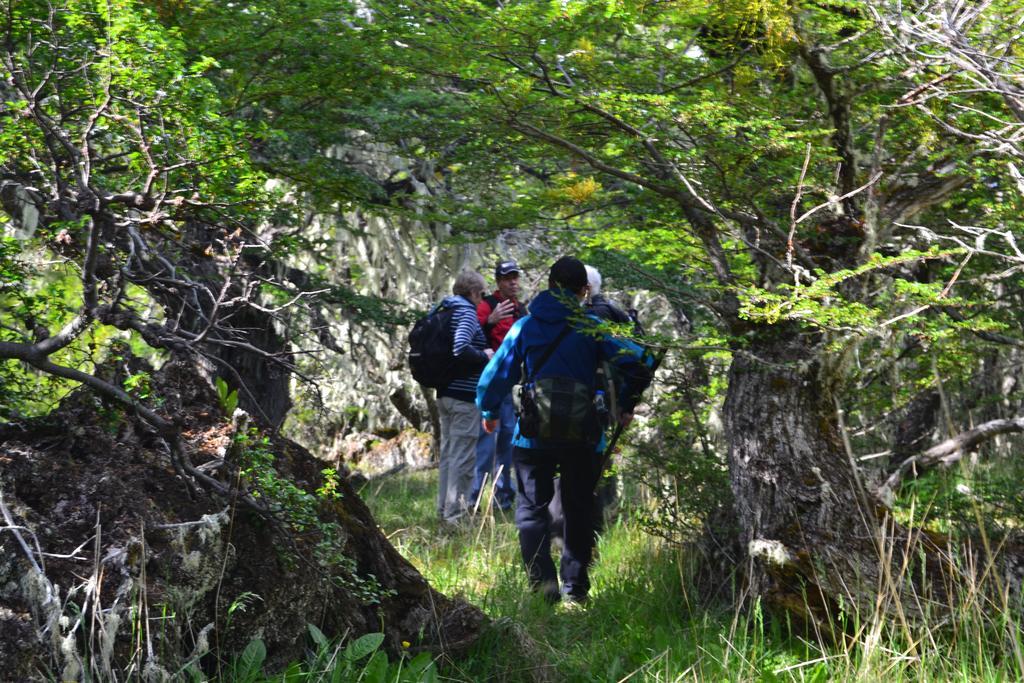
<point x="536" y="471"/>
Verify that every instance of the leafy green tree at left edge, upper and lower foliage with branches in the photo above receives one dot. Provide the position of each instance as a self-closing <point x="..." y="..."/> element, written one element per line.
<point x="120" y="106"/>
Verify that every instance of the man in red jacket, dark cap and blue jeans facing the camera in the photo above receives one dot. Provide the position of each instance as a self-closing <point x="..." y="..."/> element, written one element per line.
<point x="497" y="314"/>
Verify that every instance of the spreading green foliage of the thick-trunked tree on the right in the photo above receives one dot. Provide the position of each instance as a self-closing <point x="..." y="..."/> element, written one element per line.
<point x="625" y="113"/>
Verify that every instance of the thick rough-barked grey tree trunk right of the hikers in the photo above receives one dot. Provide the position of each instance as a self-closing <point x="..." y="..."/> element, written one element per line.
<point x="810" y="531"/>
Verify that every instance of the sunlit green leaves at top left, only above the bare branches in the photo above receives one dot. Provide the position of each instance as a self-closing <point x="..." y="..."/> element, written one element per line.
<point x="124" y="75"/>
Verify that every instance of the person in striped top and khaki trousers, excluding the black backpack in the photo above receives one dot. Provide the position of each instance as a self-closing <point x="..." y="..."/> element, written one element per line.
<point x="456" y="402"/>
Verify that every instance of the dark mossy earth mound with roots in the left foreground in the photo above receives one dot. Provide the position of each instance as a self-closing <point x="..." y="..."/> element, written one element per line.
<point x="113" y="566"/>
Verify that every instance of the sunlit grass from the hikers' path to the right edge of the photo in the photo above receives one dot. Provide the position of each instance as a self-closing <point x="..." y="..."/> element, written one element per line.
<point x="647" y="622"/>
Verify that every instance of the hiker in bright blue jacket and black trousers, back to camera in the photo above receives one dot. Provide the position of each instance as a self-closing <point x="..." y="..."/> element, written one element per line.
<point x="537" y="462"/>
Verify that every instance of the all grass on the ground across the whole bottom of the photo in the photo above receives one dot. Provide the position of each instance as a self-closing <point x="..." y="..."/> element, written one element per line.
<point x="646" y="622"/>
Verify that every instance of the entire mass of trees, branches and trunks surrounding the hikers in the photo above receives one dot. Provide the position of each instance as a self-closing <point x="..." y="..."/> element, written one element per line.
<point x="821" y="197"/>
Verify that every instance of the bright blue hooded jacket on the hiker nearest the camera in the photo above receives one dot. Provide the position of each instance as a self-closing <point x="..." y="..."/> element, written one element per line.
<point x="577" y="357"/>
